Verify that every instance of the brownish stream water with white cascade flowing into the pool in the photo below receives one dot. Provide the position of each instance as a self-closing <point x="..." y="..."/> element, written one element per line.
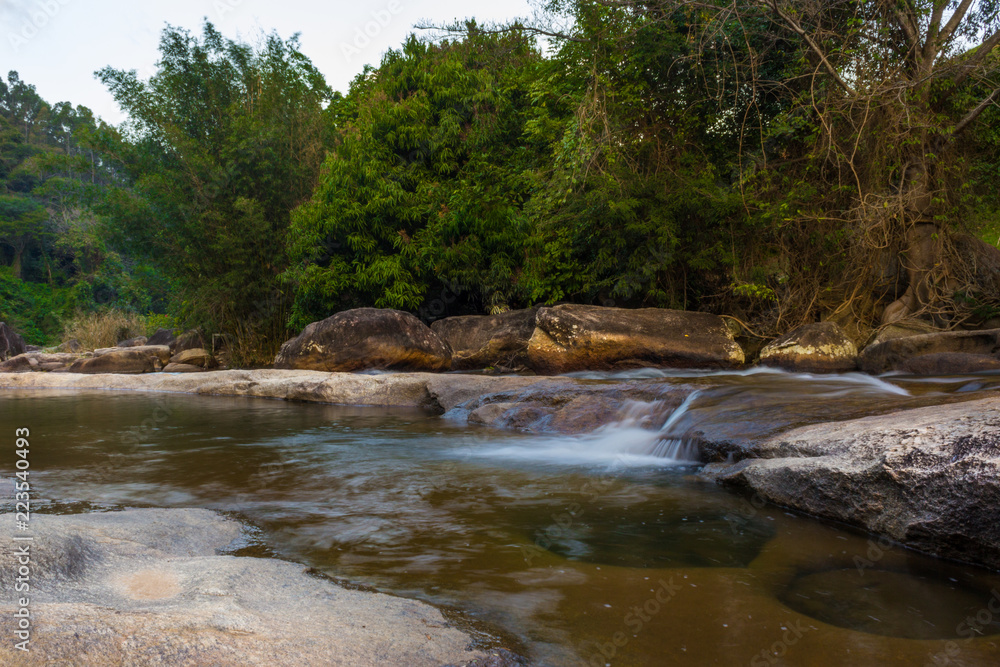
<point x="605" y="549"/>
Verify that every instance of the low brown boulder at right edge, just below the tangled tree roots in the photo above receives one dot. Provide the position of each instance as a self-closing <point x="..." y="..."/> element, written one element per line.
<point x="892" y="355"/>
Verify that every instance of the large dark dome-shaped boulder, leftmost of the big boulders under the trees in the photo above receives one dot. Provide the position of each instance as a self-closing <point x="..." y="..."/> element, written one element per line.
<point x="366" y="338"/>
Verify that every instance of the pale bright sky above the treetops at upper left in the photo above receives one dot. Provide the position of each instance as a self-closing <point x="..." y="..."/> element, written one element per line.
<point x="57" y="45"/>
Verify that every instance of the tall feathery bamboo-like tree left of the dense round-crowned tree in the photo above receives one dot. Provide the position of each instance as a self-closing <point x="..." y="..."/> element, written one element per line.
<point x="220" y="145"/>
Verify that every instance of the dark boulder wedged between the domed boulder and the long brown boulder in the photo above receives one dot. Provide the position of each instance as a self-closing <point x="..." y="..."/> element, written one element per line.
<point x="481" y="341"/>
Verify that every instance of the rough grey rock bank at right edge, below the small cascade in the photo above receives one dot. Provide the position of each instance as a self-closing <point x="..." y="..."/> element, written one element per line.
<point x="928" y="477"/>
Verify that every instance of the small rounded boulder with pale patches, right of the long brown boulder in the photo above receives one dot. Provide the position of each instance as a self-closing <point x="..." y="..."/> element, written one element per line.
<point x="817" y="347"/>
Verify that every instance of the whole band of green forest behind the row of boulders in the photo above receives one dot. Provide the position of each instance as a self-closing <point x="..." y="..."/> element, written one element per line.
<point x="780" y="162"/>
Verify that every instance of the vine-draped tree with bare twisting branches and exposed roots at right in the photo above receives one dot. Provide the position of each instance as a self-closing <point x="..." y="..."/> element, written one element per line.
<point x="869" y="153"/>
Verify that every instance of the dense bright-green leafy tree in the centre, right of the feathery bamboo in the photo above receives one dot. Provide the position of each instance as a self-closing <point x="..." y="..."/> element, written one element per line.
<point x="426" y="184"/>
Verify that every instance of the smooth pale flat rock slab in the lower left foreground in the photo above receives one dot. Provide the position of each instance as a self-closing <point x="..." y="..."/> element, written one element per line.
<point x="145" y="587"/>
